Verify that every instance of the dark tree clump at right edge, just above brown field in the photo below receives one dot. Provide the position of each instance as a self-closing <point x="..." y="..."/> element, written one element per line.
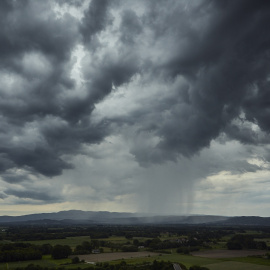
<point x="245" y="241"/>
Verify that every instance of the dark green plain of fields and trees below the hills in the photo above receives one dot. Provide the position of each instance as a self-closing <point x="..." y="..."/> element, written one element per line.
<point x="54" y="247"/>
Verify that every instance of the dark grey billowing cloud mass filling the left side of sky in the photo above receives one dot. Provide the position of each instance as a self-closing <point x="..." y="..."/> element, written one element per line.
<point x="35" y="53"/>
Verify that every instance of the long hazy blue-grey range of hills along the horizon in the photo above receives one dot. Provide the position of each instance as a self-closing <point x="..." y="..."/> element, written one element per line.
<point x="103" y="217"/>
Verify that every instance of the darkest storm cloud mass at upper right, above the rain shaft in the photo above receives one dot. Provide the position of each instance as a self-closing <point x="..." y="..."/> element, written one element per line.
<point x="221" y="49"/>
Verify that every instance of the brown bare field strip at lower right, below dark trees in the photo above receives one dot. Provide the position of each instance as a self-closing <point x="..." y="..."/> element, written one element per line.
<point x="227" y="253"/>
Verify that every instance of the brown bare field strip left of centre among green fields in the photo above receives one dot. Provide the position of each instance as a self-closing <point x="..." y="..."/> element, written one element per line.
<point x="105" y="257"/>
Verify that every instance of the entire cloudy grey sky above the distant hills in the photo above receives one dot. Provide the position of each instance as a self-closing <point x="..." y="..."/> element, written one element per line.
<point x="135" y="106"/>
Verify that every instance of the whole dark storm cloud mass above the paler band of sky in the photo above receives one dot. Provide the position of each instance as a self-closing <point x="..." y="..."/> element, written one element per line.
<point x="168" y="77"/>
